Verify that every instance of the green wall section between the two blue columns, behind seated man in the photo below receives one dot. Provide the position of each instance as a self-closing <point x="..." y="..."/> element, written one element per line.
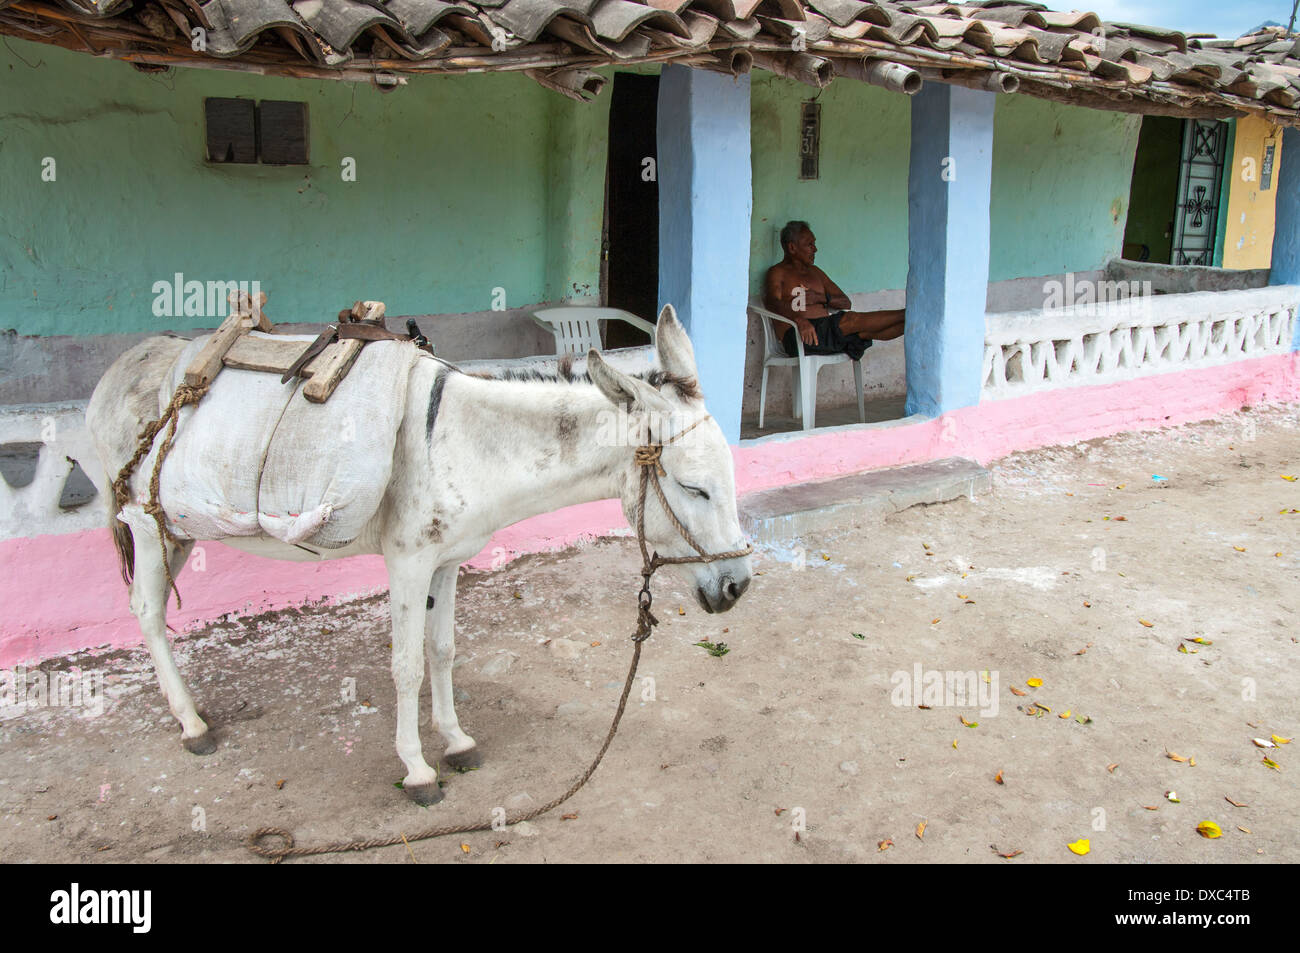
<point x="859" y="207"/>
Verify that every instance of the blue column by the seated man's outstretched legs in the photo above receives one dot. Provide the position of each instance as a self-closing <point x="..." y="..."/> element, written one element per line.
<point x="948" y="201"/>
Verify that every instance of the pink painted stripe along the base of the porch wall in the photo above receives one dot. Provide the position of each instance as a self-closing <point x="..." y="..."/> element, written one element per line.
<point x="63" y="594"/>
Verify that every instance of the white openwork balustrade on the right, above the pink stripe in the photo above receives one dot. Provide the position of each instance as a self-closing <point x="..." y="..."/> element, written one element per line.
<point x="1028" y="352"/>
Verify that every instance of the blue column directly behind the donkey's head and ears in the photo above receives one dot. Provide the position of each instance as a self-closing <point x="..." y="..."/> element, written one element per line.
<point x="705" y="202"/>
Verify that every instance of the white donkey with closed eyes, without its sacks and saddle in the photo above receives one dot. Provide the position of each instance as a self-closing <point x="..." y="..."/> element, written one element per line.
<point x="473" y="456"/>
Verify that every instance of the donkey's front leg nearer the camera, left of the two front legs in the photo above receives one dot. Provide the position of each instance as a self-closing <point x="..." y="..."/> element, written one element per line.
<point x="409" y="588"/>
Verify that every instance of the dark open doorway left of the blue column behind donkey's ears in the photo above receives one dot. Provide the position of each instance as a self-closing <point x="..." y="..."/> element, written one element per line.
<point x="631" y="241"/>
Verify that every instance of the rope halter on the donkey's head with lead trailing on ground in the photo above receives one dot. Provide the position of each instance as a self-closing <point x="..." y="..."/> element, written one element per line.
<point x="647" y="458"/>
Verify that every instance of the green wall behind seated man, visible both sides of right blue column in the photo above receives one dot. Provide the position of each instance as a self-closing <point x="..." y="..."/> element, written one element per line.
<point x="1059" y="200"/>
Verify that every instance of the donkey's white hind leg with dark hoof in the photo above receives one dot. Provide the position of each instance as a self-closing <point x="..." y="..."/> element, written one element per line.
<point x="150" y="595"/>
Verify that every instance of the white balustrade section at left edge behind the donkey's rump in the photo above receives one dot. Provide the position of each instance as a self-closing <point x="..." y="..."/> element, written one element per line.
<point x="60" y="432"/>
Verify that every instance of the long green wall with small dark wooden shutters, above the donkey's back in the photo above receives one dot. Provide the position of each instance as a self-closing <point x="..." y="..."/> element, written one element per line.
<point x="463" y="185"/>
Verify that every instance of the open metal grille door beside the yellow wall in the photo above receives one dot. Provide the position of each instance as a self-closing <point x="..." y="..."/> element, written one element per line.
<point x="1201" y="177"/>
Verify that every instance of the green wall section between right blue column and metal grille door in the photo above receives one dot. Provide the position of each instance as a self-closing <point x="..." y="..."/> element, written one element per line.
<point x="1060" y="193"/>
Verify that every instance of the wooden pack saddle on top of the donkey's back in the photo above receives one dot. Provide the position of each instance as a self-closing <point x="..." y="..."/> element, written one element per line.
<point x="324" y="363"/>
